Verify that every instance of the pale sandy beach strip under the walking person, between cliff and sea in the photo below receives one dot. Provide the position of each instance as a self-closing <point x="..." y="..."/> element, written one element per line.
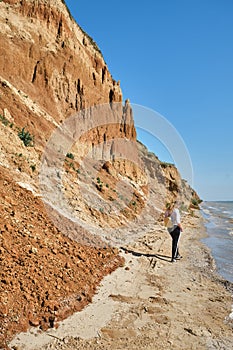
<point x="150" y="303"/>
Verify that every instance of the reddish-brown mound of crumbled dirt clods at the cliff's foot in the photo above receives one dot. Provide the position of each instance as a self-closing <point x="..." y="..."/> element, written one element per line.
<point x="45" y="276"/>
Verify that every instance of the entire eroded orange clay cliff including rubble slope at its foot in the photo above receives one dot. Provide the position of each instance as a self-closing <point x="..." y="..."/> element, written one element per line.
<point x="50" y="70"/>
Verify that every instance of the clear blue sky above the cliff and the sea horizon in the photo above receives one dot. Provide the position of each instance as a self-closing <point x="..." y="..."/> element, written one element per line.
<point x="174" y="57"/>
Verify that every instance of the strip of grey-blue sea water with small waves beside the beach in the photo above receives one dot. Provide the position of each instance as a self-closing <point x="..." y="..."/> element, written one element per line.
<point x="219" y="224"/>
